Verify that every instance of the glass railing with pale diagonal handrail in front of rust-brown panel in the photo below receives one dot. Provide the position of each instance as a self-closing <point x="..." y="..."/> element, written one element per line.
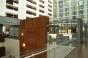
<point x="57" y="48"/>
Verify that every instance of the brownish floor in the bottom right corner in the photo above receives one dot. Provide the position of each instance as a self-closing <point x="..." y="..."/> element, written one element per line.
<point x="80" y="52"/>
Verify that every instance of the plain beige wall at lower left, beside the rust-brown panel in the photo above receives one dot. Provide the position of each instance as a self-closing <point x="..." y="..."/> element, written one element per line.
<point x="12" y="48"/>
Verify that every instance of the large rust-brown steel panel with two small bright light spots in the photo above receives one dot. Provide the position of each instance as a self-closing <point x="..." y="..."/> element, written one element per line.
<point x="33" y="32"/>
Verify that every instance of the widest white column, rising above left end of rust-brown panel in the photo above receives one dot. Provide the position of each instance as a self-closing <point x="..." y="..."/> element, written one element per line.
<point x="22" y="9"/>
